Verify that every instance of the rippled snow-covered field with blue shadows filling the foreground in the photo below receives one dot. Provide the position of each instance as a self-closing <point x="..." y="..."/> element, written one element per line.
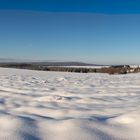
<point x="37" y="105"/>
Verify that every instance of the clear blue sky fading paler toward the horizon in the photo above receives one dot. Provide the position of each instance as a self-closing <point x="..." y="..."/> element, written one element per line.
<point x="97" y="31"/>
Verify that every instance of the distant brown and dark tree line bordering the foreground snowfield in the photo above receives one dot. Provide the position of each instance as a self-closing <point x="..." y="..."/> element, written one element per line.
<point x="118" y="69"/>
